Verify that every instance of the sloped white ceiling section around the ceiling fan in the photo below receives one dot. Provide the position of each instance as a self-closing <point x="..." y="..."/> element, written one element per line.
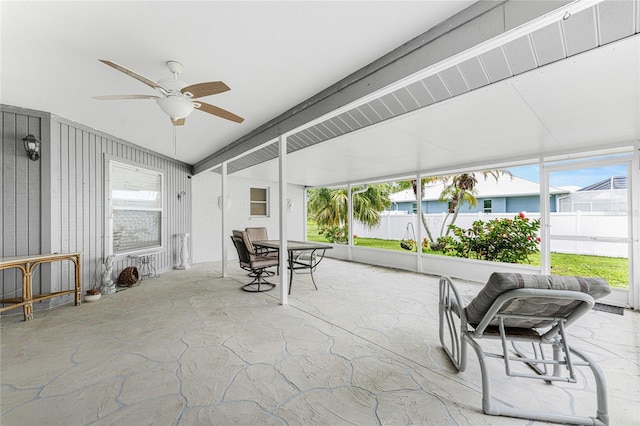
<point x="273" y="55"/>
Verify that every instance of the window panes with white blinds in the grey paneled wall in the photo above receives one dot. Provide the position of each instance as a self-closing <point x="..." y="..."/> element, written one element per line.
<point x="136" y="208"/>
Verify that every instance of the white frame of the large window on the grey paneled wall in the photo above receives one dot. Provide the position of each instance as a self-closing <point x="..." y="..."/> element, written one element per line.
<point x="110" y="209"/>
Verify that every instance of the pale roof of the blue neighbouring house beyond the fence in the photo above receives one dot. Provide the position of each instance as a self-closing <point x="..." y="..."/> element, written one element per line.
<point x="505" y="186"/>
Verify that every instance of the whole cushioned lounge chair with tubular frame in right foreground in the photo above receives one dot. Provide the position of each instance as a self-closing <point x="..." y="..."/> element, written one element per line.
<point x="523" y="308"/>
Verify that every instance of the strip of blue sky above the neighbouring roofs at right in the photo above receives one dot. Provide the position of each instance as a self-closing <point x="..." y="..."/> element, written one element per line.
<point x="579" y="177"/>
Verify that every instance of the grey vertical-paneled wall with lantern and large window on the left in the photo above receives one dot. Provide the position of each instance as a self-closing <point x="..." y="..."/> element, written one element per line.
<point x="57" y="204"/>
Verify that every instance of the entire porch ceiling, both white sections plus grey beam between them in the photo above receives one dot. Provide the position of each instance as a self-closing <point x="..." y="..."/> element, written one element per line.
<point x="363" y="90"/>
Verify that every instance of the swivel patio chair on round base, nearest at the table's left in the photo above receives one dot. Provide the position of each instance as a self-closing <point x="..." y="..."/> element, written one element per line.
<point x="254" y="263"/>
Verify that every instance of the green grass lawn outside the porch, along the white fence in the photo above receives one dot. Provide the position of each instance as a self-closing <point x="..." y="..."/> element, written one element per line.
<point x="613" y="269"/>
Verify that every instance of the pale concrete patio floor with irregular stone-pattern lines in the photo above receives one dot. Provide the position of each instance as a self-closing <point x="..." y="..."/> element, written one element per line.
<point x="190" y="347"/>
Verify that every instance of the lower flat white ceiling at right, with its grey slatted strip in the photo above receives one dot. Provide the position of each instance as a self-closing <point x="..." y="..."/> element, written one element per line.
<point x="550" y="92"/>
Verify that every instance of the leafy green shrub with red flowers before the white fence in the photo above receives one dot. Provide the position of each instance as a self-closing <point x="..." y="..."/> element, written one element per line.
<point x="500" y="240"/>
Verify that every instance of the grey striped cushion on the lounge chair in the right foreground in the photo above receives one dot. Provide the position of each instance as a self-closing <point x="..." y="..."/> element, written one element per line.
<point x="500" y="282"/>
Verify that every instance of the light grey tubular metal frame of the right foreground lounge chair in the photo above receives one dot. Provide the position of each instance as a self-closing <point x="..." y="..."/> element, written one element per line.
<point x="455" y="333"/>
